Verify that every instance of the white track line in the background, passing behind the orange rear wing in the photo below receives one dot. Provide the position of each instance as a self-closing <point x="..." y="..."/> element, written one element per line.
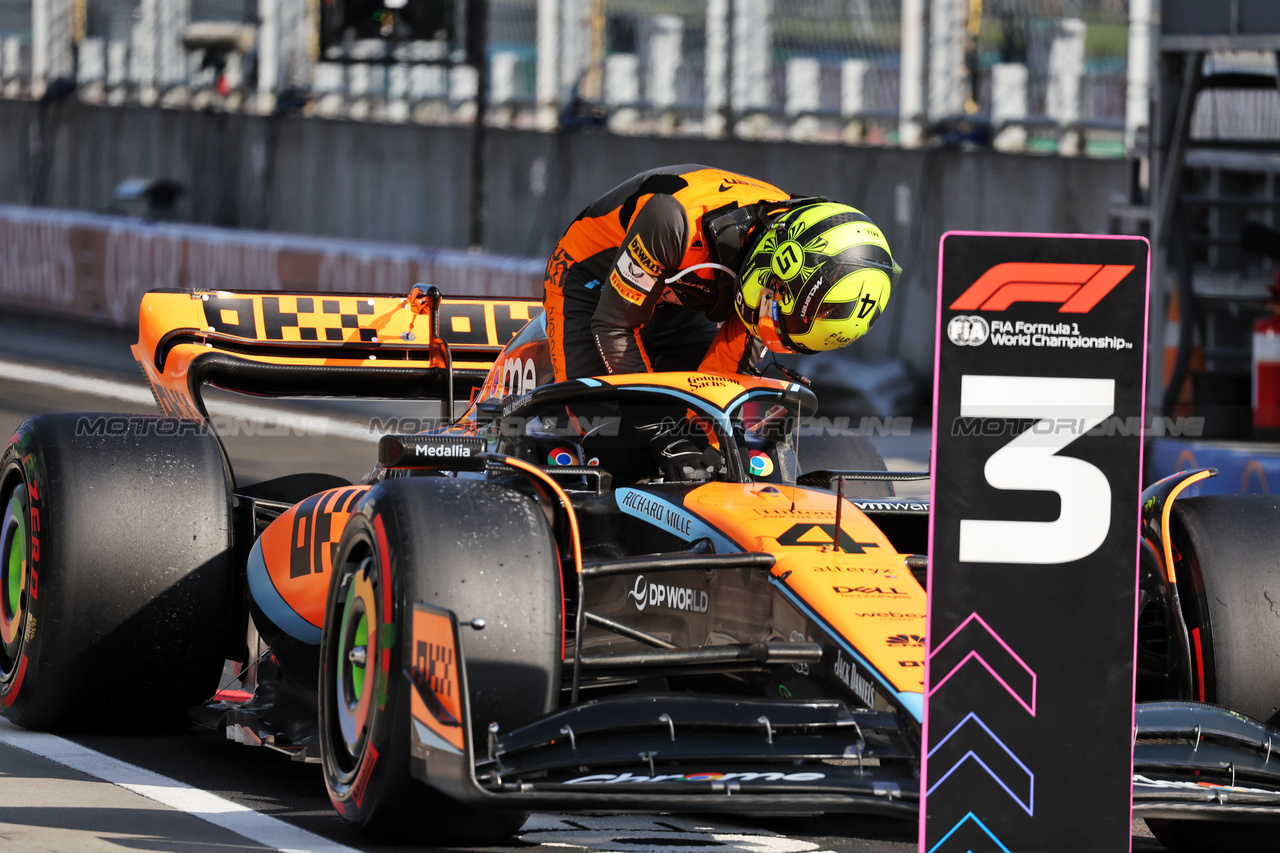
<point x="140" y="395"/>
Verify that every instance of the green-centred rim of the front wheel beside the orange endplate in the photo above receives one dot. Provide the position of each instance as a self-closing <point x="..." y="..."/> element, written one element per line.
<point x="356" y="650"/>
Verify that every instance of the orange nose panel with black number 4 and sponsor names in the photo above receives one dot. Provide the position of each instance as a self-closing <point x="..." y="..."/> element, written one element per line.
<point x="863" y="590"/>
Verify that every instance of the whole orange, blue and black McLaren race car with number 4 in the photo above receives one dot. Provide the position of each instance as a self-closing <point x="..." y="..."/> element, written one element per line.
<point x="516" y="612"/>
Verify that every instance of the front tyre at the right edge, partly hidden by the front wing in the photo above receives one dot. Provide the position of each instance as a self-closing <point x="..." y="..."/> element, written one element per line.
<point x="1227" y="546"/>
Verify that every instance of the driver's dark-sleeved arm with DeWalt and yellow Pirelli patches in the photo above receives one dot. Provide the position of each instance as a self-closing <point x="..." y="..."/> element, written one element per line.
<point x="651" y="253"/>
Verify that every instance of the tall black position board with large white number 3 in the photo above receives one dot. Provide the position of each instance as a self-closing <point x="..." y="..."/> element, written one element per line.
<point x="1039" y="408"/>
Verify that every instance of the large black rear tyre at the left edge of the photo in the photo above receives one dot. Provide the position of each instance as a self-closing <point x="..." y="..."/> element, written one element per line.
<point x="116" y="546"/>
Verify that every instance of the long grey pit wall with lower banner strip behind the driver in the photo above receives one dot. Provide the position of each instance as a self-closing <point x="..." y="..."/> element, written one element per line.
<point x="405" y="189"/>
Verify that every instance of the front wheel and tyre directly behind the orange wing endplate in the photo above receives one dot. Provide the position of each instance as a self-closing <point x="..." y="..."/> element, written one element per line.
<point x="479" y="550"/>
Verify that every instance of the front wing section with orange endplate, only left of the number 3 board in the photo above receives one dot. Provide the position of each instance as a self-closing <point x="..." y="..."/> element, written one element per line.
<point x="657" y="752"/>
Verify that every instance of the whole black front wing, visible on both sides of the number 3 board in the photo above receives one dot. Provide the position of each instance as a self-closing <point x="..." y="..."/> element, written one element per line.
<point x="696" y="754"/>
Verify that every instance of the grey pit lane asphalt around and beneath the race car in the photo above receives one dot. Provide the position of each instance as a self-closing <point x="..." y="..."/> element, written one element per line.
<point x="47" y="806"/>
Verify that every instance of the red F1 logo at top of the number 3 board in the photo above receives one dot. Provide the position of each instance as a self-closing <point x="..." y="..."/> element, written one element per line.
<point x="1078" y="288"/>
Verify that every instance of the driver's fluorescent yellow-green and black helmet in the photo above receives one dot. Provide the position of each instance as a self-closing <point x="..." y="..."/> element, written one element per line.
<point x="819" y="280"/>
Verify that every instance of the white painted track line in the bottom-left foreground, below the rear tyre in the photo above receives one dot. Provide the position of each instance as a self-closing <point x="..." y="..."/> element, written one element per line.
<point x="258" y="828"/>
